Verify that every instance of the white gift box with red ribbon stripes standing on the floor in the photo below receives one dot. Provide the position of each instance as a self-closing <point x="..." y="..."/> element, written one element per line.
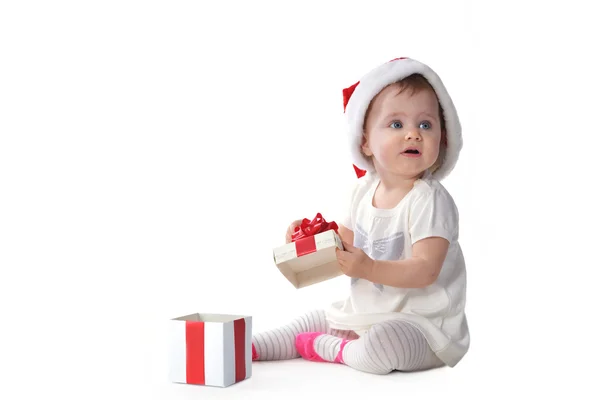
<point x="210" y="349"/>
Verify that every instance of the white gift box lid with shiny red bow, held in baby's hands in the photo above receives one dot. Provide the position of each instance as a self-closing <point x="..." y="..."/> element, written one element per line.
<point x="310" y="258"/>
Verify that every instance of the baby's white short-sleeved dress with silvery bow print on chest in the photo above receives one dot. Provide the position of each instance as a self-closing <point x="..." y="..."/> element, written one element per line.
<point x="437" y="310"/>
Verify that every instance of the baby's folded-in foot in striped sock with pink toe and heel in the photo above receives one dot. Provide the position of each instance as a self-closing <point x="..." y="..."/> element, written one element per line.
<point x="319" y="347"/>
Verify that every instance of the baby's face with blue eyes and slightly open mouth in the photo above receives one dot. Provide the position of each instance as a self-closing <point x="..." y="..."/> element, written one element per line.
<point x="403" y="131"/>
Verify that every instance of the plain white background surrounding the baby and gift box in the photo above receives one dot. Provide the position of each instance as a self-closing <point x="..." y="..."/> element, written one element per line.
<point x="152" y="153"/>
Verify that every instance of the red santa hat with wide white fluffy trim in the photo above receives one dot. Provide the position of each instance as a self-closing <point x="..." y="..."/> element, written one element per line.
<point x="358" y="97"/>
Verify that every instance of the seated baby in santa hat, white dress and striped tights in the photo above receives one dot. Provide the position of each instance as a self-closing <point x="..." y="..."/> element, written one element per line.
<point x="406" y="306"/>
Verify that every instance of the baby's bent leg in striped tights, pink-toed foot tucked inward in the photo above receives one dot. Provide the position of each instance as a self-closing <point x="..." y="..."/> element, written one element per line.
<point x="387" y="346"/>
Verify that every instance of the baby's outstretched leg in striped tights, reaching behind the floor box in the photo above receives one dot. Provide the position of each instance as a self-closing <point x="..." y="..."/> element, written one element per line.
<point x="279" y="343"/>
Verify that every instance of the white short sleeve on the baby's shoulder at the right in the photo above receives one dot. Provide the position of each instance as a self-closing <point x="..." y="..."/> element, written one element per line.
<point x="433" y="214"/>
